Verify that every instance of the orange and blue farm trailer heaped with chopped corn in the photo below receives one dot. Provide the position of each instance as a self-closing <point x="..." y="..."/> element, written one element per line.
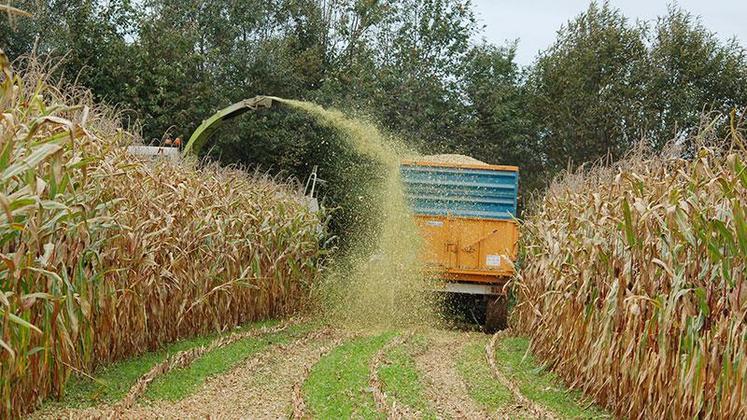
<point x="466" y="216"/>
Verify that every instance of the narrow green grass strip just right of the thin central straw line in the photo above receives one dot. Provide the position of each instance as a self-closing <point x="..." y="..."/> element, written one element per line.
<point x="400" y="378"/>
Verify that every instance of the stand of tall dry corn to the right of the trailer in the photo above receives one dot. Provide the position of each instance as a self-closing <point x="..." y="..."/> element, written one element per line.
<point x="634" y="287"/>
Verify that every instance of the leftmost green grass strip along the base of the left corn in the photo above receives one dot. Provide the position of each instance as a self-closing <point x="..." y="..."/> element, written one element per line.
<point x="113" y="381"/>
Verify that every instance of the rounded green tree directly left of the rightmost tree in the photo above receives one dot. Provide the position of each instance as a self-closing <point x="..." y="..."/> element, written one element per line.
<point x="587" y="88"/>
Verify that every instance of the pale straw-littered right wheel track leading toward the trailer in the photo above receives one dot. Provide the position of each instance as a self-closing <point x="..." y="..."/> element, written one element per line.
<point x="445" y="387"/>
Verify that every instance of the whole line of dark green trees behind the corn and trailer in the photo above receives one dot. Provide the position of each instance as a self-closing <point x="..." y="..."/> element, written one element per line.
<point x="414" y="66"/>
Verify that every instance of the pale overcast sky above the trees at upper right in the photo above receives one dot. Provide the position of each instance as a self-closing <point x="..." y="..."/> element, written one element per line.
<point x="534" y="22"/>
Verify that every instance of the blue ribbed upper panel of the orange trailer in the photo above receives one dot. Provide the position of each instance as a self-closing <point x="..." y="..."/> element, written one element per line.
<point x="461" y="192"/>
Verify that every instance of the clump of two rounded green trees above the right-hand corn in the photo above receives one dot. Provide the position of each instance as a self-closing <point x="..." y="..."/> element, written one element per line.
<point x="606" y="84"/>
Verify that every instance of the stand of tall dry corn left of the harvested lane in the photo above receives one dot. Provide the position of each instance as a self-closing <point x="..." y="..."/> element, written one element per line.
<point x="105" y="255"/>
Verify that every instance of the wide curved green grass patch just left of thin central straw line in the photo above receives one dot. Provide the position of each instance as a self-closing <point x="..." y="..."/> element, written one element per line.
<point x="338" y="387"/>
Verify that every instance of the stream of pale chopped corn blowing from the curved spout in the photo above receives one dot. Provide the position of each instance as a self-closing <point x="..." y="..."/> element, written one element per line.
<point x="386" y="288"/>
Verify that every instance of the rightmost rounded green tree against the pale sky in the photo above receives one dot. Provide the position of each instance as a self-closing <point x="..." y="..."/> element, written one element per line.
<point x="690" y="72"/>
